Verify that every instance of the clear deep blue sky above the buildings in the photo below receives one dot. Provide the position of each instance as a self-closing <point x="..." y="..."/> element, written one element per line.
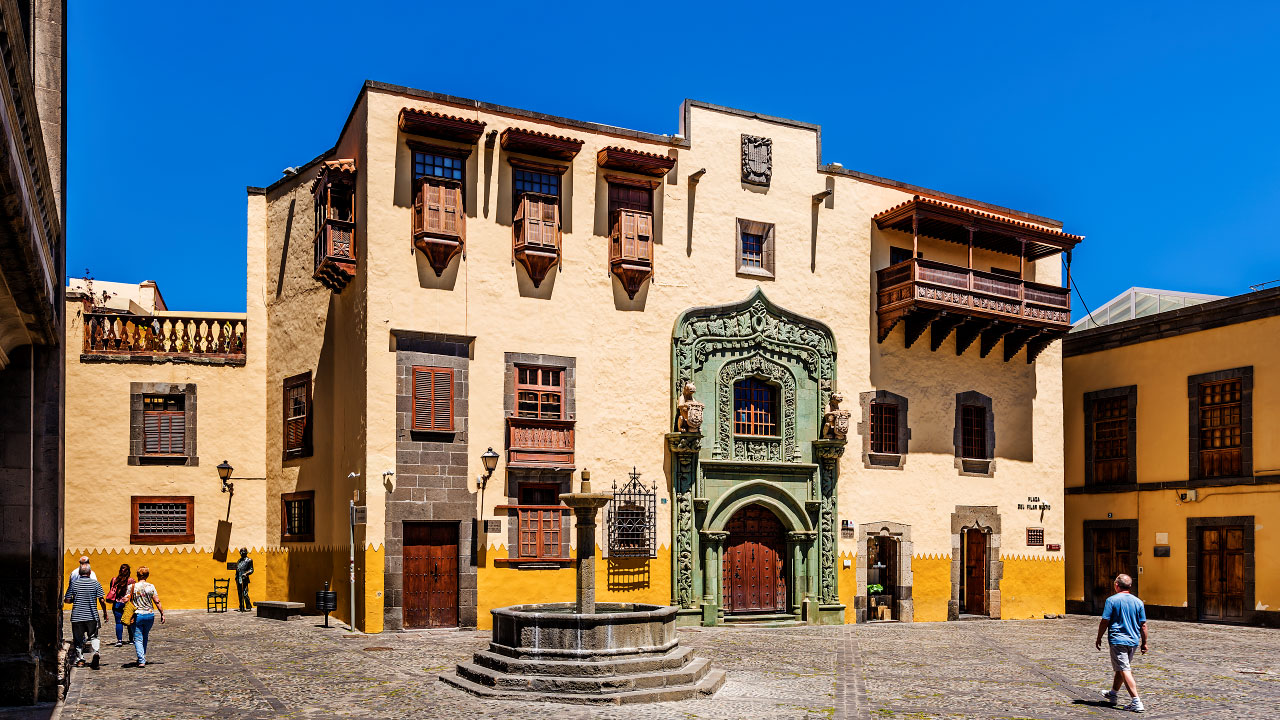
<point x="1153" y="130"/>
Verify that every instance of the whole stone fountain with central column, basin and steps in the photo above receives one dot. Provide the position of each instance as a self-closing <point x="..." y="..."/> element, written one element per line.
<point x="587" y="653"/>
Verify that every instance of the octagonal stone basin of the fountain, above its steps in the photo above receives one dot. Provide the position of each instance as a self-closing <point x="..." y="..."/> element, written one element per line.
<point x="555" y="631"/>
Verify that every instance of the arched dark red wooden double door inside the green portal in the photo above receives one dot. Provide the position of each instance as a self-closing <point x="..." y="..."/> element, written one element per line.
<point x="753" y="578"/>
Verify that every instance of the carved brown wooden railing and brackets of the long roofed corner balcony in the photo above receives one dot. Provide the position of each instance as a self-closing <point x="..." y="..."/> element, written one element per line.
<point x="939" y="298"/>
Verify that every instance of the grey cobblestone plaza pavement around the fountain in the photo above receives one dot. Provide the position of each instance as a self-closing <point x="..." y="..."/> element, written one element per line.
<point x="240" y="667"/>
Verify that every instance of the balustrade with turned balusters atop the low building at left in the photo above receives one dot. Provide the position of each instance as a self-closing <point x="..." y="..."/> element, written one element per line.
<point x="149" y="338"/>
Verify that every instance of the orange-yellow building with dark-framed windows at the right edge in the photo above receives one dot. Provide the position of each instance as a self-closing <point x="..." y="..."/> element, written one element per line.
<point x="1172" y="461"/>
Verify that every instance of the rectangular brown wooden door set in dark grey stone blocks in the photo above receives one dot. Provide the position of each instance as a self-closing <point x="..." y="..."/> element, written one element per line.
<point x="431" y="589"/>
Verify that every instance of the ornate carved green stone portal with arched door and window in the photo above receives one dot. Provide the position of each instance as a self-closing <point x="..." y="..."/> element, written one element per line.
<point x="753" y="385"/>
